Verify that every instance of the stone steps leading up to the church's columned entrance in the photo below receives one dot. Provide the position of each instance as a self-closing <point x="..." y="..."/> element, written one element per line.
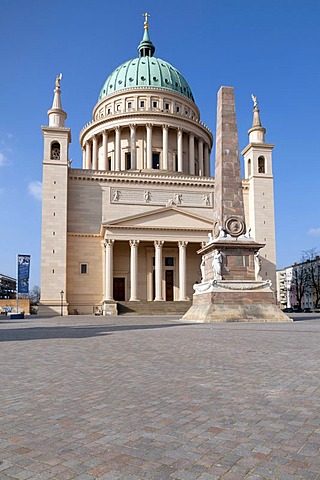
<point x="153" y="308"/>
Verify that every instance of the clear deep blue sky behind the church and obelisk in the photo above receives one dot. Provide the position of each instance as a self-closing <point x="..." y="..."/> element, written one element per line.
<point x="269" y="48"/>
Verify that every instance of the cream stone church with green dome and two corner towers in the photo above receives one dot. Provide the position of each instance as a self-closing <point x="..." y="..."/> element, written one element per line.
<point x="126" y="227"/>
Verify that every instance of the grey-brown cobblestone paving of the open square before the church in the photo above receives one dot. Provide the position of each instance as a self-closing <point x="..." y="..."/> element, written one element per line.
<point x="154" y="398"/>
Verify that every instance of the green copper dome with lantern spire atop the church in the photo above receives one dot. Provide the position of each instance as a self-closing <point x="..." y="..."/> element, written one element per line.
<point x="146" y="71"/>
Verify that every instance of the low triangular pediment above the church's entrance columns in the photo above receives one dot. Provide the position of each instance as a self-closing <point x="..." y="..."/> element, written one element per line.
<point x="163" y="218"/>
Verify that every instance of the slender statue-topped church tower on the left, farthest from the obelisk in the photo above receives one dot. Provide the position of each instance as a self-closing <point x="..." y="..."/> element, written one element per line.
<point x="54" y="207"/>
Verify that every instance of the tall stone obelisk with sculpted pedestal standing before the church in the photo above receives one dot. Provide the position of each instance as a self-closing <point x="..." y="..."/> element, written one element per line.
<point x="231" y="289"/>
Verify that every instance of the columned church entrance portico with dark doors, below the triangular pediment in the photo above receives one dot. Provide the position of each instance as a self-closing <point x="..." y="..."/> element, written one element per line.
<point x="153" y="271"/>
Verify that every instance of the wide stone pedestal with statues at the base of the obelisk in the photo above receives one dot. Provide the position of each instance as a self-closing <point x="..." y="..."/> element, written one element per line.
<point x="232" y="290"/>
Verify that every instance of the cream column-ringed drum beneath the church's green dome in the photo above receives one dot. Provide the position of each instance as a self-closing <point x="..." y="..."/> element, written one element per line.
<point x="146" y="130"/>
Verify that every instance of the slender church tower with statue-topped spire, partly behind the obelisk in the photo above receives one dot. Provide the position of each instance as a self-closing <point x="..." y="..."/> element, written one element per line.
<point x="259" y="189"/>
